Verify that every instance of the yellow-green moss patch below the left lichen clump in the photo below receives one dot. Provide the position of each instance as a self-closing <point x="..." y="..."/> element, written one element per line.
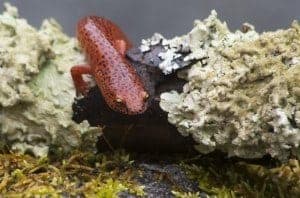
<point x="103" y="175"/>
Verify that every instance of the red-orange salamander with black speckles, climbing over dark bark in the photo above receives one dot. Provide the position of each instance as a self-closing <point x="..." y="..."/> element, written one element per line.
<point x="105" y="46"/>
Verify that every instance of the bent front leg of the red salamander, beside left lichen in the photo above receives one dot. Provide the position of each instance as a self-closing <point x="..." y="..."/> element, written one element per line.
<point x="76" y="73"/>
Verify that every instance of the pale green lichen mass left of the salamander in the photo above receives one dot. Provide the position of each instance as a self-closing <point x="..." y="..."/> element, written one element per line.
<point x="36" y="90"/>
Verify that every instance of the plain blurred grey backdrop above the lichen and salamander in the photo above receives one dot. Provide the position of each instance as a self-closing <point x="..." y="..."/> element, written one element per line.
<point x="141" y="18"/>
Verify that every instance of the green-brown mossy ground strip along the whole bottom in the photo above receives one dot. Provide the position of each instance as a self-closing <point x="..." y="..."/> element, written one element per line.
<point x="108" y="174"/>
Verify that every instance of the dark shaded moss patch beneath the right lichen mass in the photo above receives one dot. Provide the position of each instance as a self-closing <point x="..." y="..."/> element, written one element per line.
<point x="221" y="177"/>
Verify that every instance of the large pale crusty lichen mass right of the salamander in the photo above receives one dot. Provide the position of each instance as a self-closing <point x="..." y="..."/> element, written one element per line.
<point x="243" y="92"/>
